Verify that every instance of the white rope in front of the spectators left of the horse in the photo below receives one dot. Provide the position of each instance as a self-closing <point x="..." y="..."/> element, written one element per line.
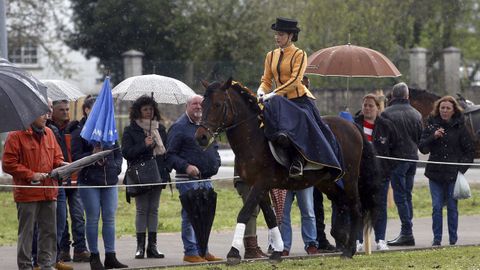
<point x="180" y="181"/>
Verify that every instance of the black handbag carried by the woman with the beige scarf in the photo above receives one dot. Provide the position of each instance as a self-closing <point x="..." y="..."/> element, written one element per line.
<point x="144" y="172"/>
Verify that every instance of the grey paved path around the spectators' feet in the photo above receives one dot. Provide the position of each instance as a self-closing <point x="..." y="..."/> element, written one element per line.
<point x="170" y="243"/>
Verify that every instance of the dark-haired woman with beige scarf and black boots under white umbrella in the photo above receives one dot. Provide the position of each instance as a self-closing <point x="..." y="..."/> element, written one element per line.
<point x="141" y="141"/>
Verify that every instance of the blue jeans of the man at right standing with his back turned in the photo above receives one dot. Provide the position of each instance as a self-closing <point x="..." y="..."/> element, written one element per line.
<point x="402" y="185"/>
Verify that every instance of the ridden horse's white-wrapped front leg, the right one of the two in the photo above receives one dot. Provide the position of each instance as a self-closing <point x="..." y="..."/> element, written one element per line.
<point x="273" y="230"/>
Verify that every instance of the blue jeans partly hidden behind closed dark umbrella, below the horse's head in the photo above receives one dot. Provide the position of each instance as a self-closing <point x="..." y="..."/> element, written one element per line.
<point x="190" y="246"/>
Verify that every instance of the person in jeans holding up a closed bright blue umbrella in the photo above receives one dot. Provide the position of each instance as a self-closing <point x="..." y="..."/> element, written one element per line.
<point x="96" y="132"/>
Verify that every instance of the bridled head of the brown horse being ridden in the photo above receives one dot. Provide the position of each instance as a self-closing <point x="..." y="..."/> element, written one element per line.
<point x="222" y="109"/>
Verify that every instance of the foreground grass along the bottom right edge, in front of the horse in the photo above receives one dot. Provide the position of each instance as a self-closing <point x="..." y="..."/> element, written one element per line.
<point x="443" y="258"/>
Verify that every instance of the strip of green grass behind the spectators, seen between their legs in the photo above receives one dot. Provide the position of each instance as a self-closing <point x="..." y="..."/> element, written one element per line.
<point x="228" y="205"/>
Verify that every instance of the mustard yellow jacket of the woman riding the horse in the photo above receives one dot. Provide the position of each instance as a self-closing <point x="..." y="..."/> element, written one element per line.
<point x="287" y="70"/>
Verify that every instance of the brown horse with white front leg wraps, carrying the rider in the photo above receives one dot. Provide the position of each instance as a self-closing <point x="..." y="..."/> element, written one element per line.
<point x="232" y="108"/>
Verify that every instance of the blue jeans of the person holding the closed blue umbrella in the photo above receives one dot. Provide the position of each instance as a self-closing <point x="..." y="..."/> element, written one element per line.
<point x="104" y="201"/>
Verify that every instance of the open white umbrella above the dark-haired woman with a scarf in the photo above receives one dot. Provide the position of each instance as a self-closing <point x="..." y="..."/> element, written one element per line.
<point x="164" y="89"/>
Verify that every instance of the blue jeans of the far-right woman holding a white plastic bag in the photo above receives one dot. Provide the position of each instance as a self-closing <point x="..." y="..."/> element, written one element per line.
<point x="442" y="194"/>
